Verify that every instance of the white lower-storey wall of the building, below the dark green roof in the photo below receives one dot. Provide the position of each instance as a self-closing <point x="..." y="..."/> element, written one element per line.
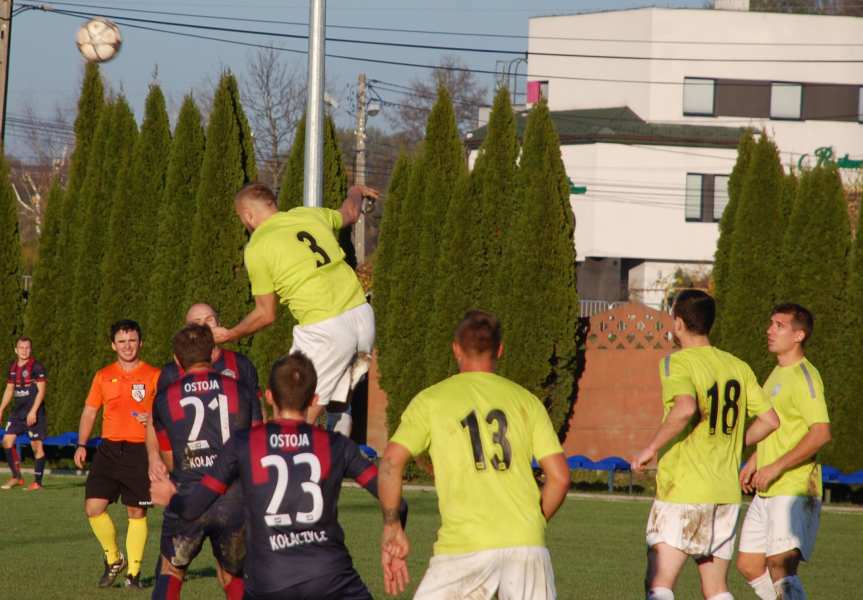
<point x="634" y="205"/>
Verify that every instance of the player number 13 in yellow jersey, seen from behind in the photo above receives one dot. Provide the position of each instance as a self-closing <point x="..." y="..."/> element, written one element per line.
<point x="481" y="432"/>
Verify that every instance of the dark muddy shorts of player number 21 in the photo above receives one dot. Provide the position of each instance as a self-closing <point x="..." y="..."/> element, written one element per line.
<point x="223" y="523"/>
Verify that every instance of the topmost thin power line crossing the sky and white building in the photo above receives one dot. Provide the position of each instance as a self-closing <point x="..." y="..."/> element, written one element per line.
<point x="473" y="34"/>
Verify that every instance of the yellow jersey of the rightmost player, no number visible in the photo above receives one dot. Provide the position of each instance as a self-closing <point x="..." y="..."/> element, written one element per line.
<point x="797" y="394"/>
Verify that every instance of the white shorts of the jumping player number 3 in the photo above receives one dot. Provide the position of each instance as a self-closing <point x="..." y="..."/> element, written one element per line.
<point x="340" y="348"/>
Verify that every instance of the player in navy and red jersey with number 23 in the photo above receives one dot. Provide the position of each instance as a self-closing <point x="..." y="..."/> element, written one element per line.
<point x="291" y="473"/>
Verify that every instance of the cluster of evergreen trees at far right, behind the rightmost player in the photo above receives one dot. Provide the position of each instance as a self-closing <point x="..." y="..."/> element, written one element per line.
<point x="785" y="238"/>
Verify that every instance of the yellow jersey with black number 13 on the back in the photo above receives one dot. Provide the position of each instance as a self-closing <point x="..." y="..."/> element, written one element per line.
<point x="481" y="431"/>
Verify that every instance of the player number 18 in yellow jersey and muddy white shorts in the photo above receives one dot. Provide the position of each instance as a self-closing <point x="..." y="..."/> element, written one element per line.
<point x="707" y="395"/>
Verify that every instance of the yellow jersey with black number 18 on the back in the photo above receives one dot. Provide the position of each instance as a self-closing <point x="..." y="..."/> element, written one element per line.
<point x="702" y="465"/>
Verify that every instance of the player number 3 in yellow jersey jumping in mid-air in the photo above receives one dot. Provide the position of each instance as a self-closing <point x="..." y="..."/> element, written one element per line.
<point x="294" y="257"/>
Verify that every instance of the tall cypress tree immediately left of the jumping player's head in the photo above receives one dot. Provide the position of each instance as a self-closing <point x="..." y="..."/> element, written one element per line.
<point x="215" y="272"/>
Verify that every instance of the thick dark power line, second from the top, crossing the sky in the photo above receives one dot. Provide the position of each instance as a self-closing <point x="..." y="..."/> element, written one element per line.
<point x="467" y="49"/>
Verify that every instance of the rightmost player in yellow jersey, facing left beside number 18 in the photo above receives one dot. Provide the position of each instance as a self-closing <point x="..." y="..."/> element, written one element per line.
<point x="782" y="521"/>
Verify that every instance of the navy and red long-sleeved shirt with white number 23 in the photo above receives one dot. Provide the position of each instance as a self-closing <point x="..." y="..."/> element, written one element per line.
<point x="291" y="475"/>
